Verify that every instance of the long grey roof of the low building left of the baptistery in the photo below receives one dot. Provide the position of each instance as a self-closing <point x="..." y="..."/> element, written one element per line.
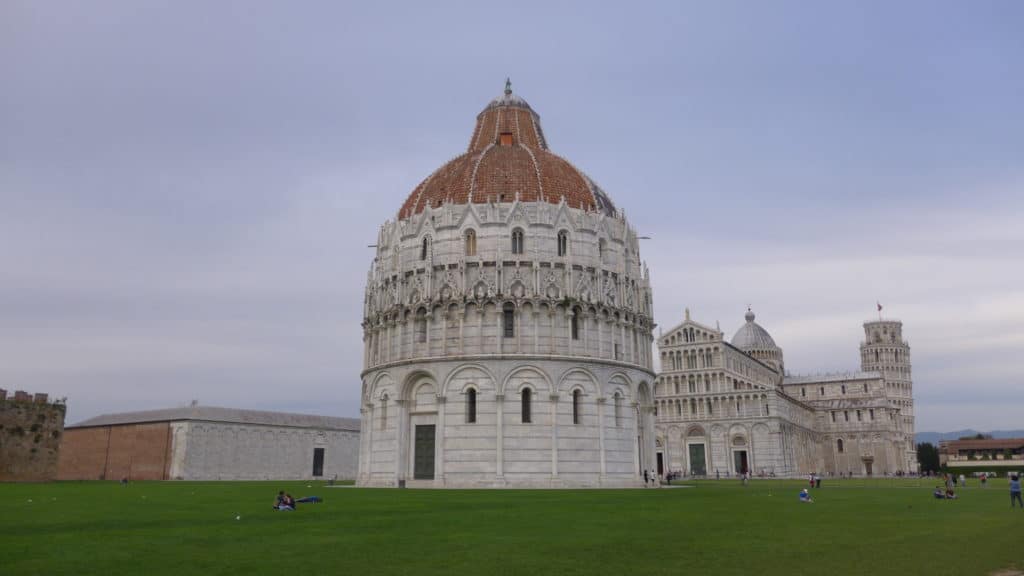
<point x="228" y="416"/>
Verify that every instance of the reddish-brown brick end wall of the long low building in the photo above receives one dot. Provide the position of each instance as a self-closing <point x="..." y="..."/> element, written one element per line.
<point x="134" y="451"/>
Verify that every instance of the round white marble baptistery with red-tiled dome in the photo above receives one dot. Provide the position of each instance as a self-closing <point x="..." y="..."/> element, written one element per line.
<point x="507" y="325"/>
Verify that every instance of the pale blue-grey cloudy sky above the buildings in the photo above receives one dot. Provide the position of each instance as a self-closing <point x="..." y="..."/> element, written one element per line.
<point x="188" y="189"/>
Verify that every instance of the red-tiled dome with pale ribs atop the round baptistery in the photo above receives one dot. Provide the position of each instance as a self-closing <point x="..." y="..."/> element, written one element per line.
<point x="507" y="160"/>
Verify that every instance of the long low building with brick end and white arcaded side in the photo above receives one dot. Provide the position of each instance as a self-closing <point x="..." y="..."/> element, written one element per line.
<point x="210" y="443"/>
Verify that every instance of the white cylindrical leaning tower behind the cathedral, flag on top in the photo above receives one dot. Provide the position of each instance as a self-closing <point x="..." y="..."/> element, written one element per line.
<point x="885" y="351"/>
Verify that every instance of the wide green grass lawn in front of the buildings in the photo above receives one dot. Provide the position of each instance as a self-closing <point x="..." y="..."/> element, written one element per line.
<point x="882" y="527"/>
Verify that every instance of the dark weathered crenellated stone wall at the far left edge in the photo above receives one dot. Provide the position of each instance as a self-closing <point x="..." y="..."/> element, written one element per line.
<point x="31" y="429"/>
